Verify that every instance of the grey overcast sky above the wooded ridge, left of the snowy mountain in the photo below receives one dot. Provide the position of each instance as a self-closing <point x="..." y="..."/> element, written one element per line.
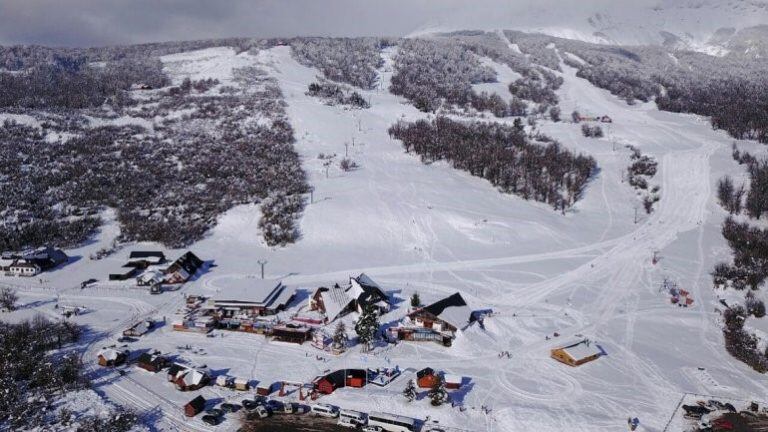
<point x="106" y="22"/>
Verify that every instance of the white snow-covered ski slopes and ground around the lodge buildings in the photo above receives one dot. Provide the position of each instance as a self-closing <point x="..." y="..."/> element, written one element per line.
<point x="435" y="230"/>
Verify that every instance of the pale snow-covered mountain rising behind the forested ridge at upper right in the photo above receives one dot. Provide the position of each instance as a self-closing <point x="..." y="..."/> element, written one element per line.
<point x="711" y="26"/>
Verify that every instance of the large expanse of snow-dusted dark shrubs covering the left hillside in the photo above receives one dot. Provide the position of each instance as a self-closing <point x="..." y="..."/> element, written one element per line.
<point x="168" y="184"/>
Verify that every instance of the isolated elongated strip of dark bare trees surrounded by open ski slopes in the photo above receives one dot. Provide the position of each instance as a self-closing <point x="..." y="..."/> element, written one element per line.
<point x="536" y="168"/>
